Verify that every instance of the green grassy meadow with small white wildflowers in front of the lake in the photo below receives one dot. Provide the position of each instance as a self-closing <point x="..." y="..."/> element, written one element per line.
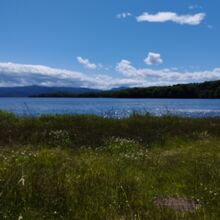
<point x="86" y="167"/>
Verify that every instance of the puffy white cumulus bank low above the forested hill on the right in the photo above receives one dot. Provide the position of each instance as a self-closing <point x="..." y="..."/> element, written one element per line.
<point x="126" y="68"/>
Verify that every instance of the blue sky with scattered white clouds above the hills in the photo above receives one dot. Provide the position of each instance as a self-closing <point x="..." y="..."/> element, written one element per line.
<point x="108" y="43"/>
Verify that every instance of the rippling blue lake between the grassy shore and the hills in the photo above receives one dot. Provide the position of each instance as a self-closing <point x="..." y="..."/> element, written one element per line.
<point x="111" y="107"/>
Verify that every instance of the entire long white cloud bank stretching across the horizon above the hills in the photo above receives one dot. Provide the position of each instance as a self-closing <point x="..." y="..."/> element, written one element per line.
<point x="12" y="74"/>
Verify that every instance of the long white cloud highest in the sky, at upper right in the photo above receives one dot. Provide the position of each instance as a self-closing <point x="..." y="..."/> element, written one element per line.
<point x="172" y="17"/>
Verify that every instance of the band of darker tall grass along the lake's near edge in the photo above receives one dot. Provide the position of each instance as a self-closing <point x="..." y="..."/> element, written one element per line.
<point x="85" y="130"/>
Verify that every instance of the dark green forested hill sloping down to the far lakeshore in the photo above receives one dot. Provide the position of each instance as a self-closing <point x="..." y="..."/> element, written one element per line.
<point x="209" y="89"/>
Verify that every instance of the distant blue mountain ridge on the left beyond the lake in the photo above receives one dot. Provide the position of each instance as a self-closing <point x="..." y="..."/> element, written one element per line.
<point x="27" y="91"/>
